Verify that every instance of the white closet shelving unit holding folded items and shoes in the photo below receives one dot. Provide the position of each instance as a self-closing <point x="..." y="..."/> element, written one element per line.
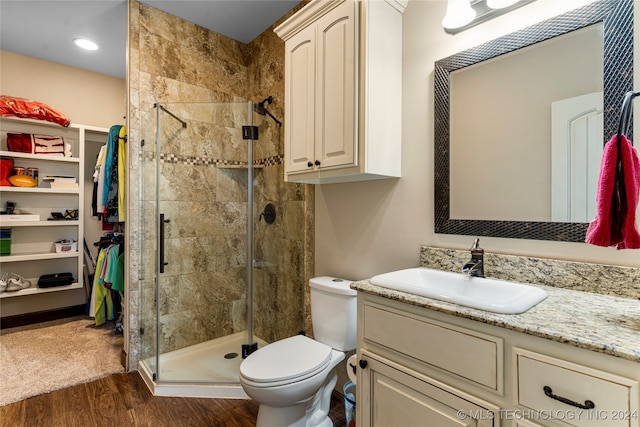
<point x="33" y="242"/>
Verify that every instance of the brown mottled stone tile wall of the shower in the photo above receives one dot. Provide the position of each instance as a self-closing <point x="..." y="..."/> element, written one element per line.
<point x="203" y="292"/>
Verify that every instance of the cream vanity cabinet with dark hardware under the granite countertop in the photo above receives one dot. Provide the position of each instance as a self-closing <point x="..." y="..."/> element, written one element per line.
<point x="419" y="367"/>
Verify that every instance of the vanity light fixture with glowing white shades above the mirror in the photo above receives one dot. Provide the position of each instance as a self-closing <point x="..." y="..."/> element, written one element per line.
<point x="464" y="14"/>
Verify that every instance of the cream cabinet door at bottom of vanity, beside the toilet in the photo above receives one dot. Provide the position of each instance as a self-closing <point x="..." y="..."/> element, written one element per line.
<point x="393" y="396"/>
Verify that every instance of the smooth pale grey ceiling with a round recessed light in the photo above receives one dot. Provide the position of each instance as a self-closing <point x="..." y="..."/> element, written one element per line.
<point x="45" y="29"/>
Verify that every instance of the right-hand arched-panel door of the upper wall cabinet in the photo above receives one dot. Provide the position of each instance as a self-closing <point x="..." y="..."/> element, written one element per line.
<point x="336" y="87"/>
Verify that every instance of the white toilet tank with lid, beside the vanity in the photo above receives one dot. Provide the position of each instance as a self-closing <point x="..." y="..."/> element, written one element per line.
<point x="333" y="312"/>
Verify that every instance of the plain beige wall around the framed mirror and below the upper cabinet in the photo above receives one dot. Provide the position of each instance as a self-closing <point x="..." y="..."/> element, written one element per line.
<point x="370" y="227"/>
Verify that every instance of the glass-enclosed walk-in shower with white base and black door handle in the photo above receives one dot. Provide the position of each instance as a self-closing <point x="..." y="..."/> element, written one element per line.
<point x="217" y="281"/>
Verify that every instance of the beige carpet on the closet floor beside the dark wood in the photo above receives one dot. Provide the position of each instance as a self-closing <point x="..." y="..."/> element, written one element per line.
<point x="49" y="356"/>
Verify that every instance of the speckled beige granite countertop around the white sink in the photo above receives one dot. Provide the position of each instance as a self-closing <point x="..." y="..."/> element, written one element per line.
<point x="600" y="323"/>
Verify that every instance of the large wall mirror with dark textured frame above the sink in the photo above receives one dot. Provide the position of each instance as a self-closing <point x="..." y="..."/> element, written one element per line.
<point x="608" y="26"/>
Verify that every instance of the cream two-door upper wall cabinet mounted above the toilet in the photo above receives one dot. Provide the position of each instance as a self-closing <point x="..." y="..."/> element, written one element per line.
<point x="343" y="91"/>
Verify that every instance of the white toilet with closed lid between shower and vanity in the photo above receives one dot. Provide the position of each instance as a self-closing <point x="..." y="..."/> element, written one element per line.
<point x="292" y="379"/>
